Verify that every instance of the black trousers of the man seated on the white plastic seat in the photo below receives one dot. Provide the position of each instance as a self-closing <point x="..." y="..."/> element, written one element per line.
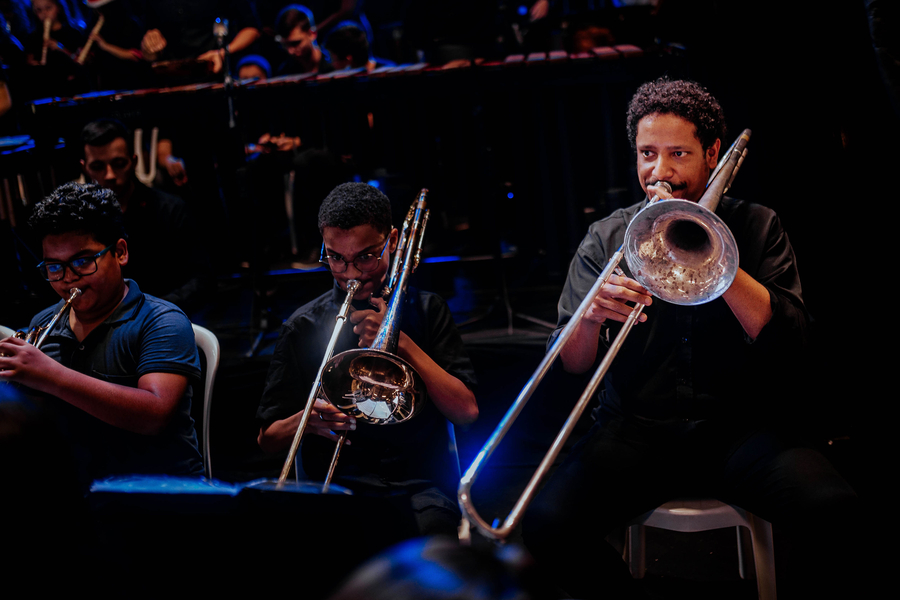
<point x="626" y="467"/>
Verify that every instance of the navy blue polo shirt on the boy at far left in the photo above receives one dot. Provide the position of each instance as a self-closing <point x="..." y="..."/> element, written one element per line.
<point x="143" y="335"/>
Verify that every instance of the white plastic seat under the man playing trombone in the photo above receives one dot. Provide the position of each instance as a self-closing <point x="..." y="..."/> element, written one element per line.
<point x="690" y="515"/>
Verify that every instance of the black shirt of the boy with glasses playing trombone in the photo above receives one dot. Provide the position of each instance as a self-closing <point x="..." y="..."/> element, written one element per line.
<point x="413" y="450"/>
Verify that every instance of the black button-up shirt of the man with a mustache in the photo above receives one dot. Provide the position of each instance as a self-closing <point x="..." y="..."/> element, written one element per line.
<point x="695" y="362"/>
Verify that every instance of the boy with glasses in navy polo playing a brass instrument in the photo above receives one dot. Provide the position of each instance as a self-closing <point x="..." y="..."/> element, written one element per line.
<point x="117" y="369"/>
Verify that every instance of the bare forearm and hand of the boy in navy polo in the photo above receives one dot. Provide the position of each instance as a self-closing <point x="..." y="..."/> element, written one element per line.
<point x="146" y="409"/>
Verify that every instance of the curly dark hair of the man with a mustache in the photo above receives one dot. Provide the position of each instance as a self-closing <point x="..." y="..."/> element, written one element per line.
<point x="685" y="99"/>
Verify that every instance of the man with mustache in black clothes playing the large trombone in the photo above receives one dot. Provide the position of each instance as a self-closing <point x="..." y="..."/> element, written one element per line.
<point x="689" y="405"/>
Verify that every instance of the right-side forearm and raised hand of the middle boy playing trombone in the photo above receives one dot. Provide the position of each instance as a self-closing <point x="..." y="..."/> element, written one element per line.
<point x="450" y="395"/>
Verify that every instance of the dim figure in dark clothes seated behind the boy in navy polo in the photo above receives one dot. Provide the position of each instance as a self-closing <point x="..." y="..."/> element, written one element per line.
<point x="167" y="260"/>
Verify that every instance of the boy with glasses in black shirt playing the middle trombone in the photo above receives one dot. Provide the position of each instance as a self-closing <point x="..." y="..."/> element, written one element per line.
<point x="410" y="457"/>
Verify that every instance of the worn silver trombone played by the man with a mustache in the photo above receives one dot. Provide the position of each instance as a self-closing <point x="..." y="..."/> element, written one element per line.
<point x="666" y="226"/>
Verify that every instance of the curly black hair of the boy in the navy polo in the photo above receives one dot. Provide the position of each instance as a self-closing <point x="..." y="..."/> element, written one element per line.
<point x="80" y="208"/>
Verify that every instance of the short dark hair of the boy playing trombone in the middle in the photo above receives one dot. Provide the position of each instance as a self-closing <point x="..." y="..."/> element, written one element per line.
<point x="352" y="204"/>
